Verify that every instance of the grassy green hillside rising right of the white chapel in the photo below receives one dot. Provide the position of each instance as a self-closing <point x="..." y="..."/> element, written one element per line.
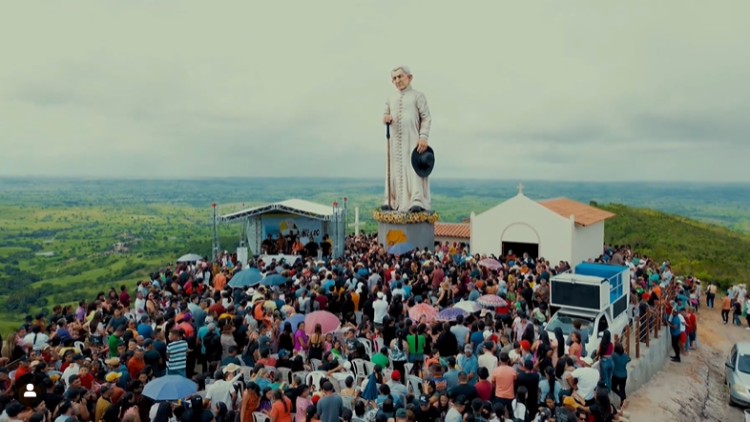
<point x="709" y="252"/>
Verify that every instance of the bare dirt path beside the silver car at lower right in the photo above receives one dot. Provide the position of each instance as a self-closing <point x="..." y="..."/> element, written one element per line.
<point x="694" y="389"/>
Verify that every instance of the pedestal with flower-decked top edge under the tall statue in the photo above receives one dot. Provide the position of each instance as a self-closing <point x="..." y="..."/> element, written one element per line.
<point x="397" y="227"/>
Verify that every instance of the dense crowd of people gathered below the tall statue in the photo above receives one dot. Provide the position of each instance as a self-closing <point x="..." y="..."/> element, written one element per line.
<point x="91" y="362"/>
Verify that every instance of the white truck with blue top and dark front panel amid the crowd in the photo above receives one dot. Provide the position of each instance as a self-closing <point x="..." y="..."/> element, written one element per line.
<point x="598" y="295"/>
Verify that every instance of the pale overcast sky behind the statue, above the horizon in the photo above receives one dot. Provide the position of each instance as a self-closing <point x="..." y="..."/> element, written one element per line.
<point x="649" y="90"/>
